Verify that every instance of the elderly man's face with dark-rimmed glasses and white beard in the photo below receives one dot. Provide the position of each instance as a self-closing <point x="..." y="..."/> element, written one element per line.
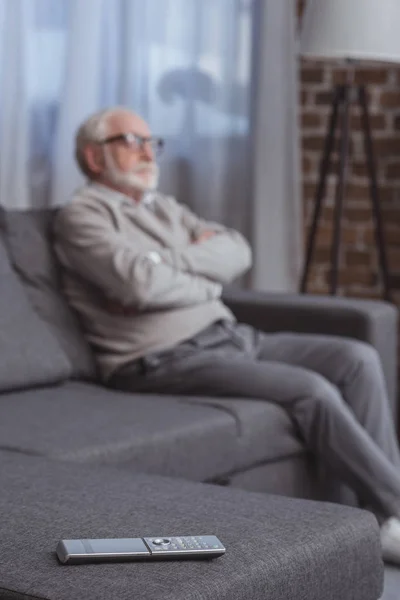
<point x="127" y="162"/>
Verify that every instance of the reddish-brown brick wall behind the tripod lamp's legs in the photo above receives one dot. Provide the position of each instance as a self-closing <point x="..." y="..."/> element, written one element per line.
<point x="359" y="267"/>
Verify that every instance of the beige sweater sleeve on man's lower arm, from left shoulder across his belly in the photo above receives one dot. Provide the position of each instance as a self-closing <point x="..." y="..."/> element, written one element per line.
<point x="87" y="244"/>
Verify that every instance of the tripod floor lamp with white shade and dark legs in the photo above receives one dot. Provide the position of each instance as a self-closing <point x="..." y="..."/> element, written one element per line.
<point x="350" y="31"/>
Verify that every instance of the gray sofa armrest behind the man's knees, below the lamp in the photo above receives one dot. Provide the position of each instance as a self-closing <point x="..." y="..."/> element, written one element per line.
<point x="371" y="321"/>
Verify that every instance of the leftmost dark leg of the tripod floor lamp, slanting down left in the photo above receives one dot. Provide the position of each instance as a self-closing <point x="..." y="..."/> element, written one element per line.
<point x="324" y="170"/>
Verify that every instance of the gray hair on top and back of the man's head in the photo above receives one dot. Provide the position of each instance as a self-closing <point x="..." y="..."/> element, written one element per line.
<point x="93" y="130"/>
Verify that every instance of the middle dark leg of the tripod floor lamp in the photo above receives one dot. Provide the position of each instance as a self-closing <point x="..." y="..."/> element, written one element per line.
<point x="341" y="185"/>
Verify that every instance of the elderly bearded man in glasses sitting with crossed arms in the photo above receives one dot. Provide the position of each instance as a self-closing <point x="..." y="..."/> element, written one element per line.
<point x="145" y="276"/>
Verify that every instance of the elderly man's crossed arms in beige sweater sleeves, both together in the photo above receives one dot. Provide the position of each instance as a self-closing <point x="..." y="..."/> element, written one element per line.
<point x="88" y="244"/>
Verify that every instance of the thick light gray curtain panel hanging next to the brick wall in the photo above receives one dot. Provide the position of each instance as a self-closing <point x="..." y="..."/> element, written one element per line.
<point x="277" y="207"/>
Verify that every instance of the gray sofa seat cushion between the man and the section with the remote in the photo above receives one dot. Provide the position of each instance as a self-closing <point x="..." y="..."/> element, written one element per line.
<point x="83" y="423"/>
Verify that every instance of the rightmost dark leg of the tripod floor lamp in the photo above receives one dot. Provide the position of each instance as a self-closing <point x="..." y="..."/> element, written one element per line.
<point x="376" y="211"/>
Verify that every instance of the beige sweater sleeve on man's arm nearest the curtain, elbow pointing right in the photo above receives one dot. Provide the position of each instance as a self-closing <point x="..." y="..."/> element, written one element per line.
<point x="222" y="258"/>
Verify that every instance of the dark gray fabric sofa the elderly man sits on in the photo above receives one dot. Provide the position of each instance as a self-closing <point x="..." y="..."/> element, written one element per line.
<point x="54" y="414"/>
